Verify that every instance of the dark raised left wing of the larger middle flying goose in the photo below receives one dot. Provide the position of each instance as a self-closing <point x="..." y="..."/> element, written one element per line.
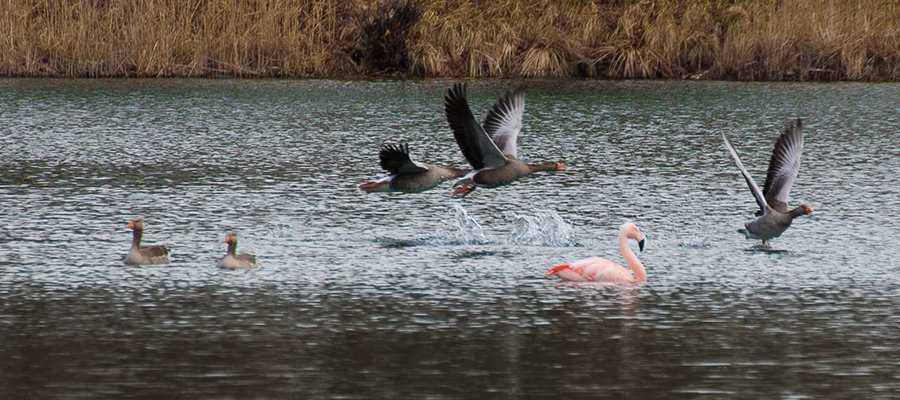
<point x="479" y="150"/>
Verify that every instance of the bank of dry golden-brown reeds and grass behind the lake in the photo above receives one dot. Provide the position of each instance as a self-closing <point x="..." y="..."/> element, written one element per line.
<point x="716" y="39"/>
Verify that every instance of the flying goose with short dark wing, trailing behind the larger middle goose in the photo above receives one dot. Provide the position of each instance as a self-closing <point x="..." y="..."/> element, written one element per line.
<point x="406" y="175"/>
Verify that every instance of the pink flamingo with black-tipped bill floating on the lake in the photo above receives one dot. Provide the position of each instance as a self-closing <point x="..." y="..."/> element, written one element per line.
<point x="598" y="269"/>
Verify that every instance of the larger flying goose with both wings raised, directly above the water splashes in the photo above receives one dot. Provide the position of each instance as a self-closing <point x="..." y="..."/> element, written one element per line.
<point x="493" y="158"/>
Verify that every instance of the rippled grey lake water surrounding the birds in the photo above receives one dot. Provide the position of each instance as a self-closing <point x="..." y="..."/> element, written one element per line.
<point x="424" y="296"/>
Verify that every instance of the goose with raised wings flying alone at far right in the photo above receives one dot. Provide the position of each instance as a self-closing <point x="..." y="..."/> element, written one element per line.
<point x="774" y="216"/>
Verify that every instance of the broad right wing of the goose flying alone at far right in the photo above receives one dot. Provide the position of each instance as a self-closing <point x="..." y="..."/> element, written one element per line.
<point x="784" y="166"/>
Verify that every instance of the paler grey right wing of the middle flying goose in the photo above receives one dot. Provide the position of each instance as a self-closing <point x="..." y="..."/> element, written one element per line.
<point x="504" y="121"/>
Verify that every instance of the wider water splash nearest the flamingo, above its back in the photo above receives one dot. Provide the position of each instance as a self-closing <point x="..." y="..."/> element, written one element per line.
<point x="544" y="228"/>
